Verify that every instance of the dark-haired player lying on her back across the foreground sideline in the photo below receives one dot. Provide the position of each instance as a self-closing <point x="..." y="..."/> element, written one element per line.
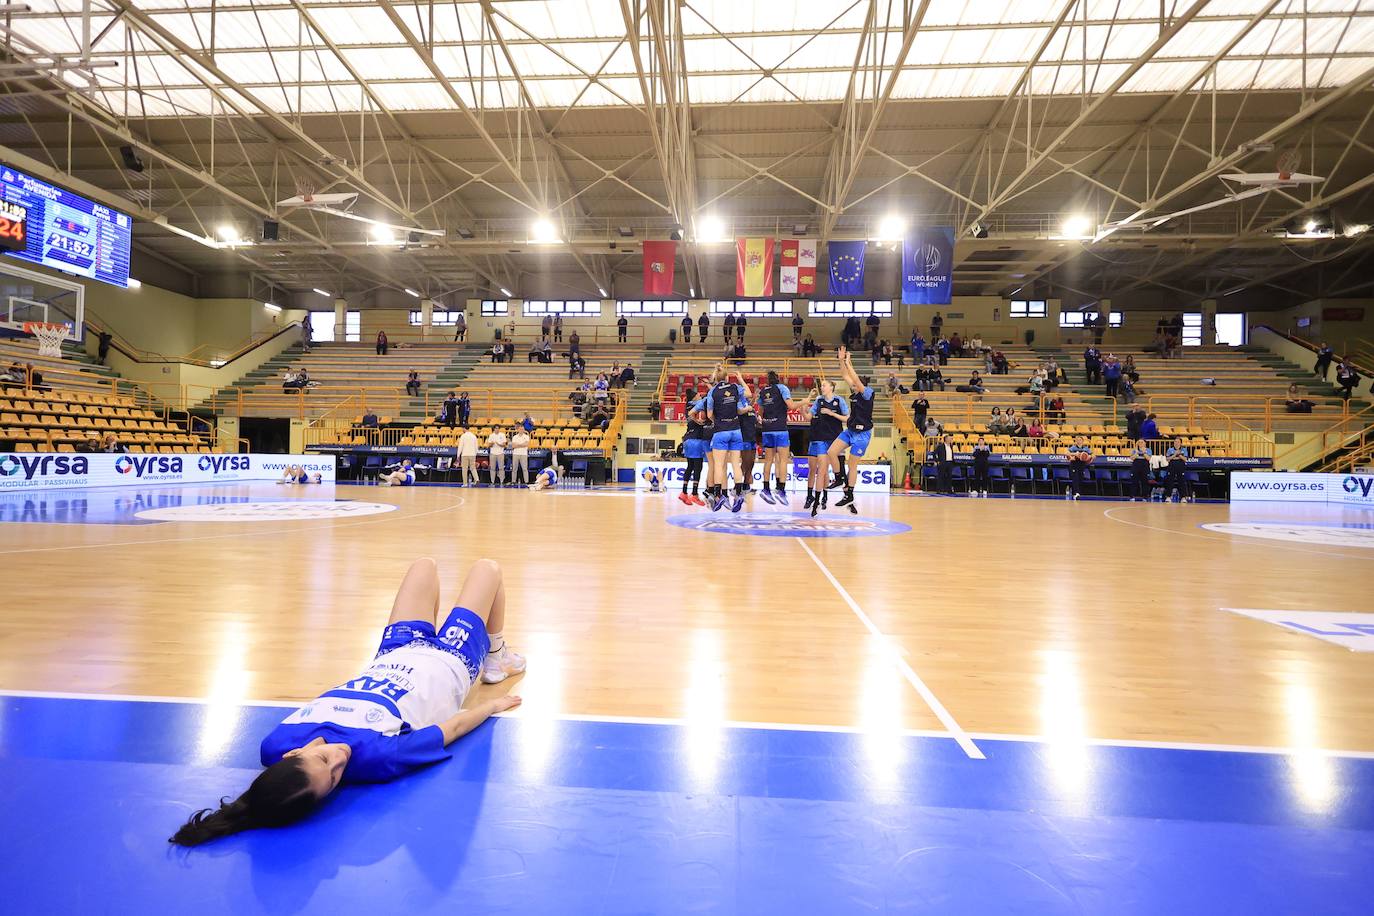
<point x="401" y="715"/>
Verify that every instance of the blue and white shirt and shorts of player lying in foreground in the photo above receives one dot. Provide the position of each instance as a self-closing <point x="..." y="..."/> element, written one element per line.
<point x="391" y="715"/>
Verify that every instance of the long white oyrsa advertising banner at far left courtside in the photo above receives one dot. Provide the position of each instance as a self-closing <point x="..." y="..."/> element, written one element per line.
<point x="50" y="470"/>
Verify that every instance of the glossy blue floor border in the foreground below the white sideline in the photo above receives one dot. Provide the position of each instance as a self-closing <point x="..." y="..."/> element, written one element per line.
<point x="574" y="816"/>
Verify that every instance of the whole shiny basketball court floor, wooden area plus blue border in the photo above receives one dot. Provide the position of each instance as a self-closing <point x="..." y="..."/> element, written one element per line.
<point x="941" y="705"/>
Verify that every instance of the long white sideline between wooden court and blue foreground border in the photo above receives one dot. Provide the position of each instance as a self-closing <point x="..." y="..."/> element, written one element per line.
<point x="774" y="727"/>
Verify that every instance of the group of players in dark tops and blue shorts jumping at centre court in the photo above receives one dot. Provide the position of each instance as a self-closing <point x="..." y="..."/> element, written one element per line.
<point x="729" y="424"/>
